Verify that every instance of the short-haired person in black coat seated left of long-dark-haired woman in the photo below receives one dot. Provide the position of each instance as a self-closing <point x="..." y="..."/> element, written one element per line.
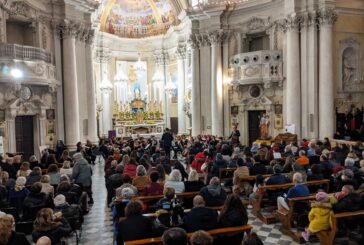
<point x="200" y="217"/>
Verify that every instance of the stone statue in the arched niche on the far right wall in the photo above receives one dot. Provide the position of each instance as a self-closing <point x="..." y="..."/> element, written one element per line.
<point x="349" y="66"/>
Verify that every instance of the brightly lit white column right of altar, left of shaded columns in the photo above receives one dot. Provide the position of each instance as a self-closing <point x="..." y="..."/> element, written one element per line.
<point x="181" y="54"/>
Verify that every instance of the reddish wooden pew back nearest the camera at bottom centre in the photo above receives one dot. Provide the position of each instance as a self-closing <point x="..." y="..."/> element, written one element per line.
<point x="214" y="233"/>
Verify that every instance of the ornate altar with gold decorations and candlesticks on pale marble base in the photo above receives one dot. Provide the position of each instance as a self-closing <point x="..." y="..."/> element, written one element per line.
<point x="138" y="118"/>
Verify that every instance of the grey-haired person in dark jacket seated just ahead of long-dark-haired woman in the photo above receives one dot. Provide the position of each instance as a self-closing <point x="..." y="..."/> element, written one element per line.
<point x="213" y="194"/>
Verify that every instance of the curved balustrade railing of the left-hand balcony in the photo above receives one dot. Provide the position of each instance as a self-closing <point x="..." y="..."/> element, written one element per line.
<point x="20" y="52"/>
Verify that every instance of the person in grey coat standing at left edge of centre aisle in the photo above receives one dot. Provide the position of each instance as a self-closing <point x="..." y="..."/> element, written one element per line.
<point x="82" y="175"/>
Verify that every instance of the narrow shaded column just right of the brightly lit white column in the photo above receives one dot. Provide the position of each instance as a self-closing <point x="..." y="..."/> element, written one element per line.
<point x="196" y="92"/>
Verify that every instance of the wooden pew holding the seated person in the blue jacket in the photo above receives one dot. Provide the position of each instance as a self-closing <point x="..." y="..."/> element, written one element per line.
<point x="270" y="218"/>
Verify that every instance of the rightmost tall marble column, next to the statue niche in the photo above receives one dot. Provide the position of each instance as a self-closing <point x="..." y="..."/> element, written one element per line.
<point x="327" y="18"/>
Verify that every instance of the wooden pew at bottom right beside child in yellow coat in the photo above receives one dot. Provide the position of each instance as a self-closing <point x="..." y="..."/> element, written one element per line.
<point x="328" y="237"/>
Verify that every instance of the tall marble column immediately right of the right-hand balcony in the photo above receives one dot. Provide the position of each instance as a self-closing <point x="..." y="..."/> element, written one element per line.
<point x="293" y="83"/>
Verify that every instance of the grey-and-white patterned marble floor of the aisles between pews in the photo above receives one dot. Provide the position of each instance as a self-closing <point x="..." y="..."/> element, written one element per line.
<point x="97" y="227"/>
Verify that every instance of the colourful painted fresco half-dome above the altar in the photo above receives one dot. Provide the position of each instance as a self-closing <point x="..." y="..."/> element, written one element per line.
<point x="136" y="18"/>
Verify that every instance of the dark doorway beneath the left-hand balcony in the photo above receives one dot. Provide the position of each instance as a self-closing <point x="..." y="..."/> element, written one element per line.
<point x="24" y="135"/>
